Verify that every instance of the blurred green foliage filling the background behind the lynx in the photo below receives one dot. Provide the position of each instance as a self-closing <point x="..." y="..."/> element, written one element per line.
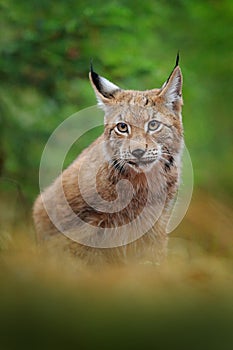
<point x="45" y="50"/>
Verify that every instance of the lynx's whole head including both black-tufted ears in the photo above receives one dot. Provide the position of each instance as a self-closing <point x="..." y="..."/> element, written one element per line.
<point x="142" y="128"/>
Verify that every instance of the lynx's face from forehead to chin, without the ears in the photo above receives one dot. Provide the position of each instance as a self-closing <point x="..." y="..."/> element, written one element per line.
<point x="141" y="137"/>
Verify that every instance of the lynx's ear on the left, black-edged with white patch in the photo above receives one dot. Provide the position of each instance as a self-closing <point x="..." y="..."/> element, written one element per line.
<point x="103" y="88"/>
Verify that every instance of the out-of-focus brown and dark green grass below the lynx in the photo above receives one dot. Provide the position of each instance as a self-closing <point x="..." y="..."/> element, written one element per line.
<point x="53" y="301"/>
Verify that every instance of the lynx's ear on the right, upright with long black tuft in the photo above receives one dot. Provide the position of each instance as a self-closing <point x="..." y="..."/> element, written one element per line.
<point x="171" y="91"/>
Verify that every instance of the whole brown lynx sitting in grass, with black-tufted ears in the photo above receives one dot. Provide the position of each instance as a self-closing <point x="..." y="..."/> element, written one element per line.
<point x="112" y="204"/>
